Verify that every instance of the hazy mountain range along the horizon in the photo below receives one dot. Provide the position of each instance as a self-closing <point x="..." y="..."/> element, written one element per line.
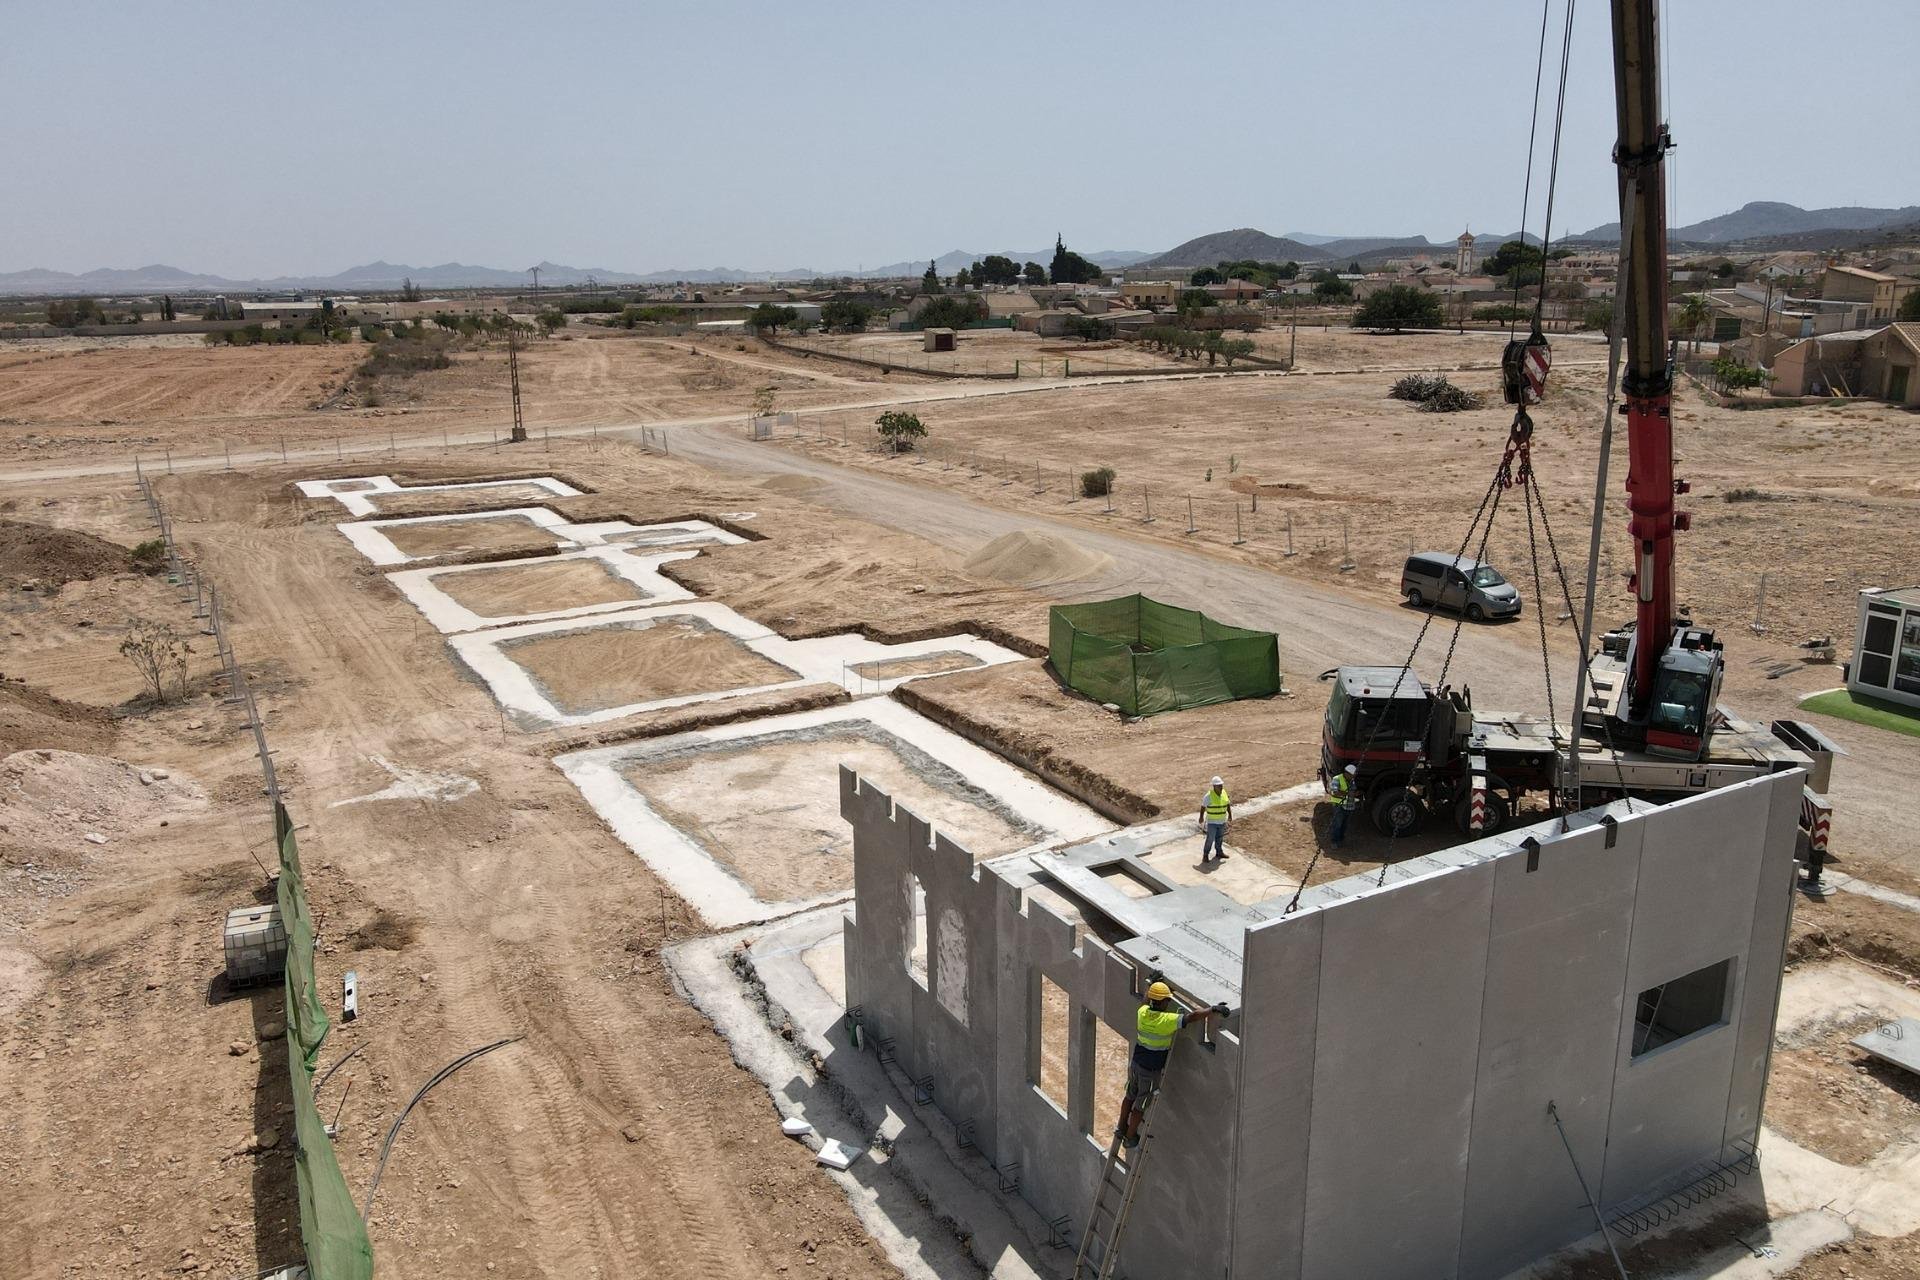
<point x="1754" y="225"/>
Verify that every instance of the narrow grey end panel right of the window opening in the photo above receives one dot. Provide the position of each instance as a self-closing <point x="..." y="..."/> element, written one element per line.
<point x="1760" y="1001"/>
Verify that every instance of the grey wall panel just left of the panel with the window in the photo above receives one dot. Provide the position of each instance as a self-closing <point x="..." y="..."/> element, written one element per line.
<point x="1556" y="964"/>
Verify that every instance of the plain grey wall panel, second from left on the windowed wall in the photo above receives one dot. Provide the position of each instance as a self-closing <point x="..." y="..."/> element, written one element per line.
<point x="1397" y="1053"/>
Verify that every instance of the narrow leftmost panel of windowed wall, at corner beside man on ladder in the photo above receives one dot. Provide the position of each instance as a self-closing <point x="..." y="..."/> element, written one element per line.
<point x="1282" y="978"/>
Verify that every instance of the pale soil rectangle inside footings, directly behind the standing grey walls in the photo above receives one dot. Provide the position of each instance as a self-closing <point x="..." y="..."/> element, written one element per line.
<point x="771" y="813"/>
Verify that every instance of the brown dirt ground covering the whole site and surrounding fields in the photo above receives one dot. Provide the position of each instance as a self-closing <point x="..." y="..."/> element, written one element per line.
<point x="621" y="1129"/>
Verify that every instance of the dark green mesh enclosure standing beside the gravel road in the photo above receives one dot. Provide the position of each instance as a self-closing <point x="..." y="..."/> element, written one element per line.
<point x="1147" y="657"/>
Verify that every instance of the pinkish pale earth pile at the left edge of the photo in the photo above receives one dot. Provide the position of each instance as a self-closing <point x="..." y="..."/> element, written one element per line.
<point x="60" y="799"/>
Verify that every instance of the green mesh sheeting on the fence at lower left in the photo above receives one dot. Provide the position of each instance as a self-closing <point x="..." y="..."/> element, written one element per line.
<point x="329" y="1221"/>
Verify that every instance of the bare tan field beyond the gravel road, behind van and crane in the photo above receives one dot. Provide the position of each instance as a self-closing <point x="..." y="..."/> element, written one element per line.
<point x="1366" y="479"/>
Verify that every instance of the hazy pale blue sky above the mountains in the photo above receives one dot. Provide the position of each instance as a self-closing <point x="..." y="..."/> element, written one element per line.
<point x="304" y="139"/>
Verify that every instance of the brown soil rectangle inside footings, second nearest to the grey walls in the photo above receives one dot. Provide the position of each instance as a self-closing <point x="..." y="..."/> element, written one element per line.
<point x="619" y="665"/>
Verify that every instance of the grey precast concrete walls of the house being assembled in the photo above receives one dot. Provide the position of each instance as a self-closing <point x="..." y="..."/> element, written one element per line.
<point x="1380" y="1104"/>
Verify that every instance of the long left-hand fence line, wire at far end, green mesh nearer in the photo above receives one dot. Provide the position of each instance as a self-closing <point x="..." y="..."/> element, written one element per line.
<point x="331" y="1229"/>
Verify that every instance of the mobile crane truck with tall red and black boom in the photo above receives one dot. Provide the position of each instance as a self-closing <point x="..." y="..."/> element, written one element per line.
<point x="1652" y="724"/>
